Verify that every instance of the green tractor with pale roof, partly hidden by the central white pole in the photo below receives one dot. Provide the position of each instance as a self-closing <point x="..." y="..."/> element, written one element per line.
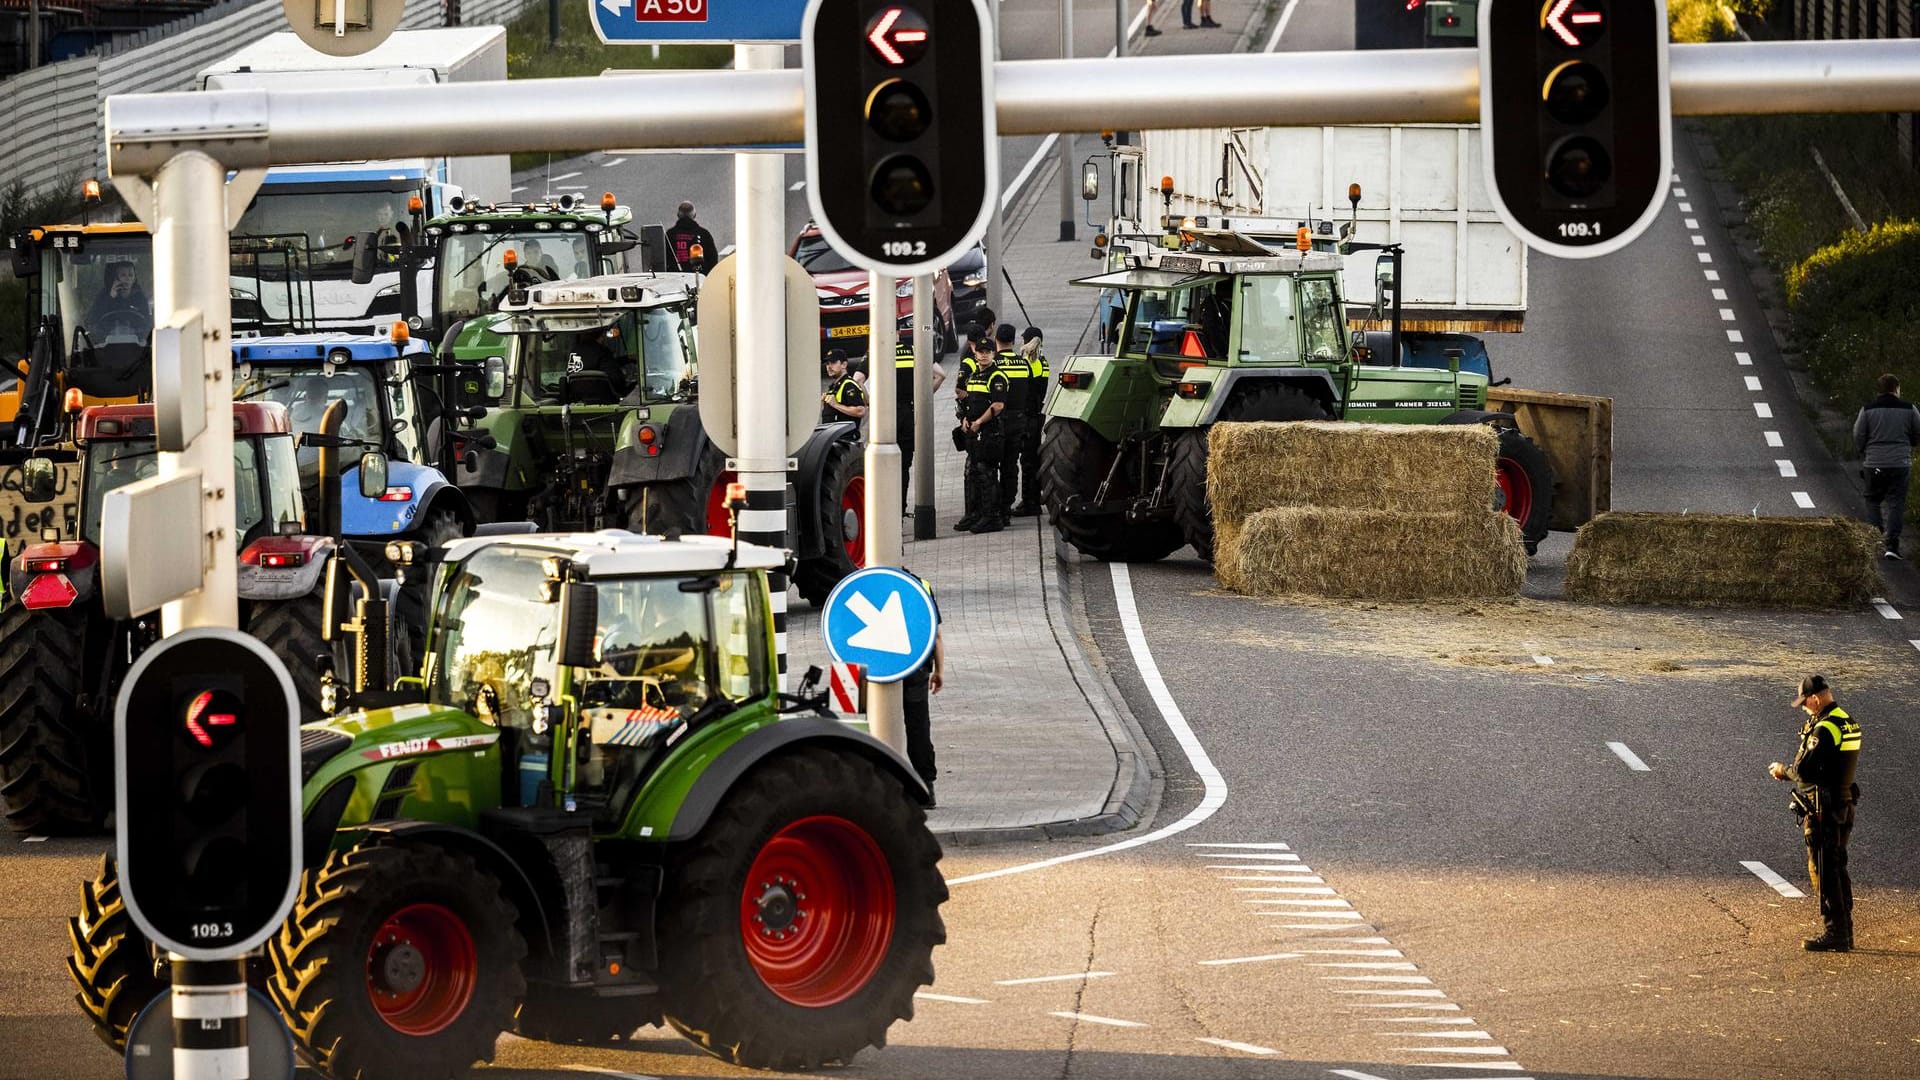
<point x="594" y="420"/>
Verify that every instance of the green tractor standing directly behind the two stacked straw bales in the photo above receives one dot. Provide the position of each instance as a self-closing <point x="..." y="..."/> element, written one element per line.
<point x="1224" y="328"/>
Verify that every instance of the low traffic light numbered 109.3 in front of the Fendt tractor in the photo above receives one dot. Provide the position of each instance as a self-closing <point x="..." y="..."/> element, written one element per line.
<point x="208" y="783"/>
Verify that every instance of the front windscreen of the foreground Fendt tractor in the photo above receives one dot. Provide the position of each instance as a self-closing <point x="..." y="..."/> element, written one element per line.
<point x="494" y="637"/>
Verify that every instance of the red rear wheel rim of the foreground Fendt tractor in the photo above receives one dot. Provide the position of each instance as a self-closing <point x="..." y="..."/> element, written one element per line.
<point x="817" y="912"/>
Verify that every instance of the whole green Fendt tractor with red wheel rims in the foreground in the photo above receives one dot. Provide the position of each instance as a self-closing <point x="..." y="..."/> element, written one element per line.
<point x="600" y="814"/>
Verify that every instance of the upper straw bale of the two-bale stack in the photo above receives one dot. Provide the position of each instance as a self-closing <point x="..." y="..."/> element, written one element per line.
<point x="1351" y="466"/>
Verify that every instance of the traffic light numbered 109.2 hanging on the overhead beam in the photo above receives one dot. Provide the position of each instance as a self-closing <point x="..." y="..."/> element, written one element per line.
<point x="901" y="147"/>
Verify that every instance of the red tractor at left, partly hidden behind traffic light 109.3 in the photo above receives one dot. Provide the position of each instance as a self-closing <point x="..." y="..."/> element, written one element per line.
<point x="62" y="656"/>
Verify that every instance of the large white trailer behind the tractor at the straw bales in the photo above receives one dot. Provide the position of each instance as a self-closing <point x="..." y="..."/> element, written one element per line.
<point x="1420" y="185"/>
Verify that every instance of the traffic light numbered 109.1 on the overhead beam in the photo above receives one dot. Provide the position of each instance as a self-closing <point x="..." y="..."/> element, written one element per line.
<point x="1575" y="120"/>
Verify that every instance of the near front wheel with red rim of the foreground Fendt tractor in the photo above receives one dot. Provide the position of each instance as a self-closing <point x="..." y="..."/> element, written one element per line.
<point x="398" y="962"/>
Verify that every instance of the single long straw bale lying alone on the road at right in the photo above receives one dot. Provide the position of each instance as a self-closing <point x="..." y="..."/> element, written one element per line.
<point x="1725" y="560"/>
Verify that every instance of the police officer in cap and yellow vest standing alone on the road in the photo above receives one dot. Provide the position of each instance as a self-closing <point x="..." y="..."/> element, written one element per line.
<point x="1823" y="798"/>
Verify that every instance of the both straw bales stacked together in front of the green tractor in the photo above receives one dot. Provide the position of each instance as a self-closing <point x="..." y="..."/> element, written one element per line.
<point x="1383" y="512"/>
